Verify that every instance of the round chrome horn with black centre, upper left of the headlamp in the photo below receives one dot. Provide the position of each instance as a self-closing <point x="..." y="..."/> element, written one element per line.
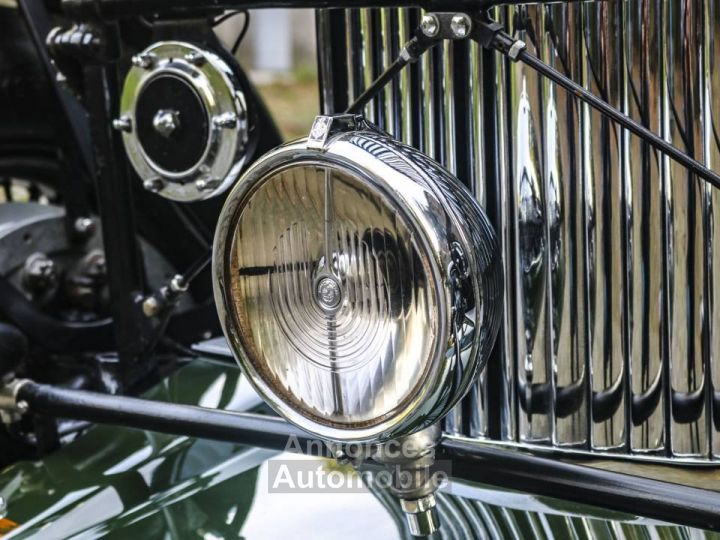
<point x="183" y="120"/>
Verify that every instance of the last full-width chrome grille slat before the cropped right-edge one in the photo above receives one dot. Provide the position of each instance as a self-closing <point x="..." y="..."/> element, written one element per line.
<point x="684" y="199"/>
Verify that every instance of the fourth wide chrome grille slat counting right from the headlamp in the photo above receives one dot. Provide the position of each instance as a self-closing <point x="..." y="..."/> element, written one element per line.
<point x="644" y="228"/>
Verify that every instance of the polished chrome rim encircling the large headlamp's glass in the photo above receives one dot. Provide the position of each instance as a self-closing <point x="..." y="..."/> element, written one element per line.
<point x="436" y="395"/>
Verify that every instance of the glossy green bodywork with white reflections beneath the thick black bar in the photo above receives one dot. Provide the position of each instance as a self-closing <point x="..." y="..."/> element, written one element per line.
<point x="123" y="483"/>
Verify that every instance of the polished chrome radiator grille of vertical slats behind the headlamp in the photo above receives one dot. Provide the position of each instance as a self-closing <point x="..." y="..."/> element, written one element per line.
<point x="610" y="337"/>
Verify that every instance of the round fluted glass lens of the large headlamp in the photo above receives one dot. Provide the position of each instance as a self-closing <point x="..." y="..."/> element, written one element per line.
<point x="332" y="296"/>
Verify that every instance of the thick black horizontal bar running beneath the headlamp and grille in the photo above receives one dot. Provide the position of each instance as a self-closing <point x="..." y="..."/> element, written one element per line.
<point x="481" y="463"/>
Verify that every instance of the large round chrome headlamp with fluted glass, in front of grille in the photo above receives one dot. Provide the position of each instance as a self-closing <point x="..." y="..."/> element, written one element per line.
<point x="357" y="283"/>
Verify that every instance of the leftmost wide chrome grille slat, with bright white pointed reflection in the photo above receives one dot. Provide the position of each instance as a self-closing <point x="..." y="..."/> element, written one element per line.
<point x="534" y="370"/>
